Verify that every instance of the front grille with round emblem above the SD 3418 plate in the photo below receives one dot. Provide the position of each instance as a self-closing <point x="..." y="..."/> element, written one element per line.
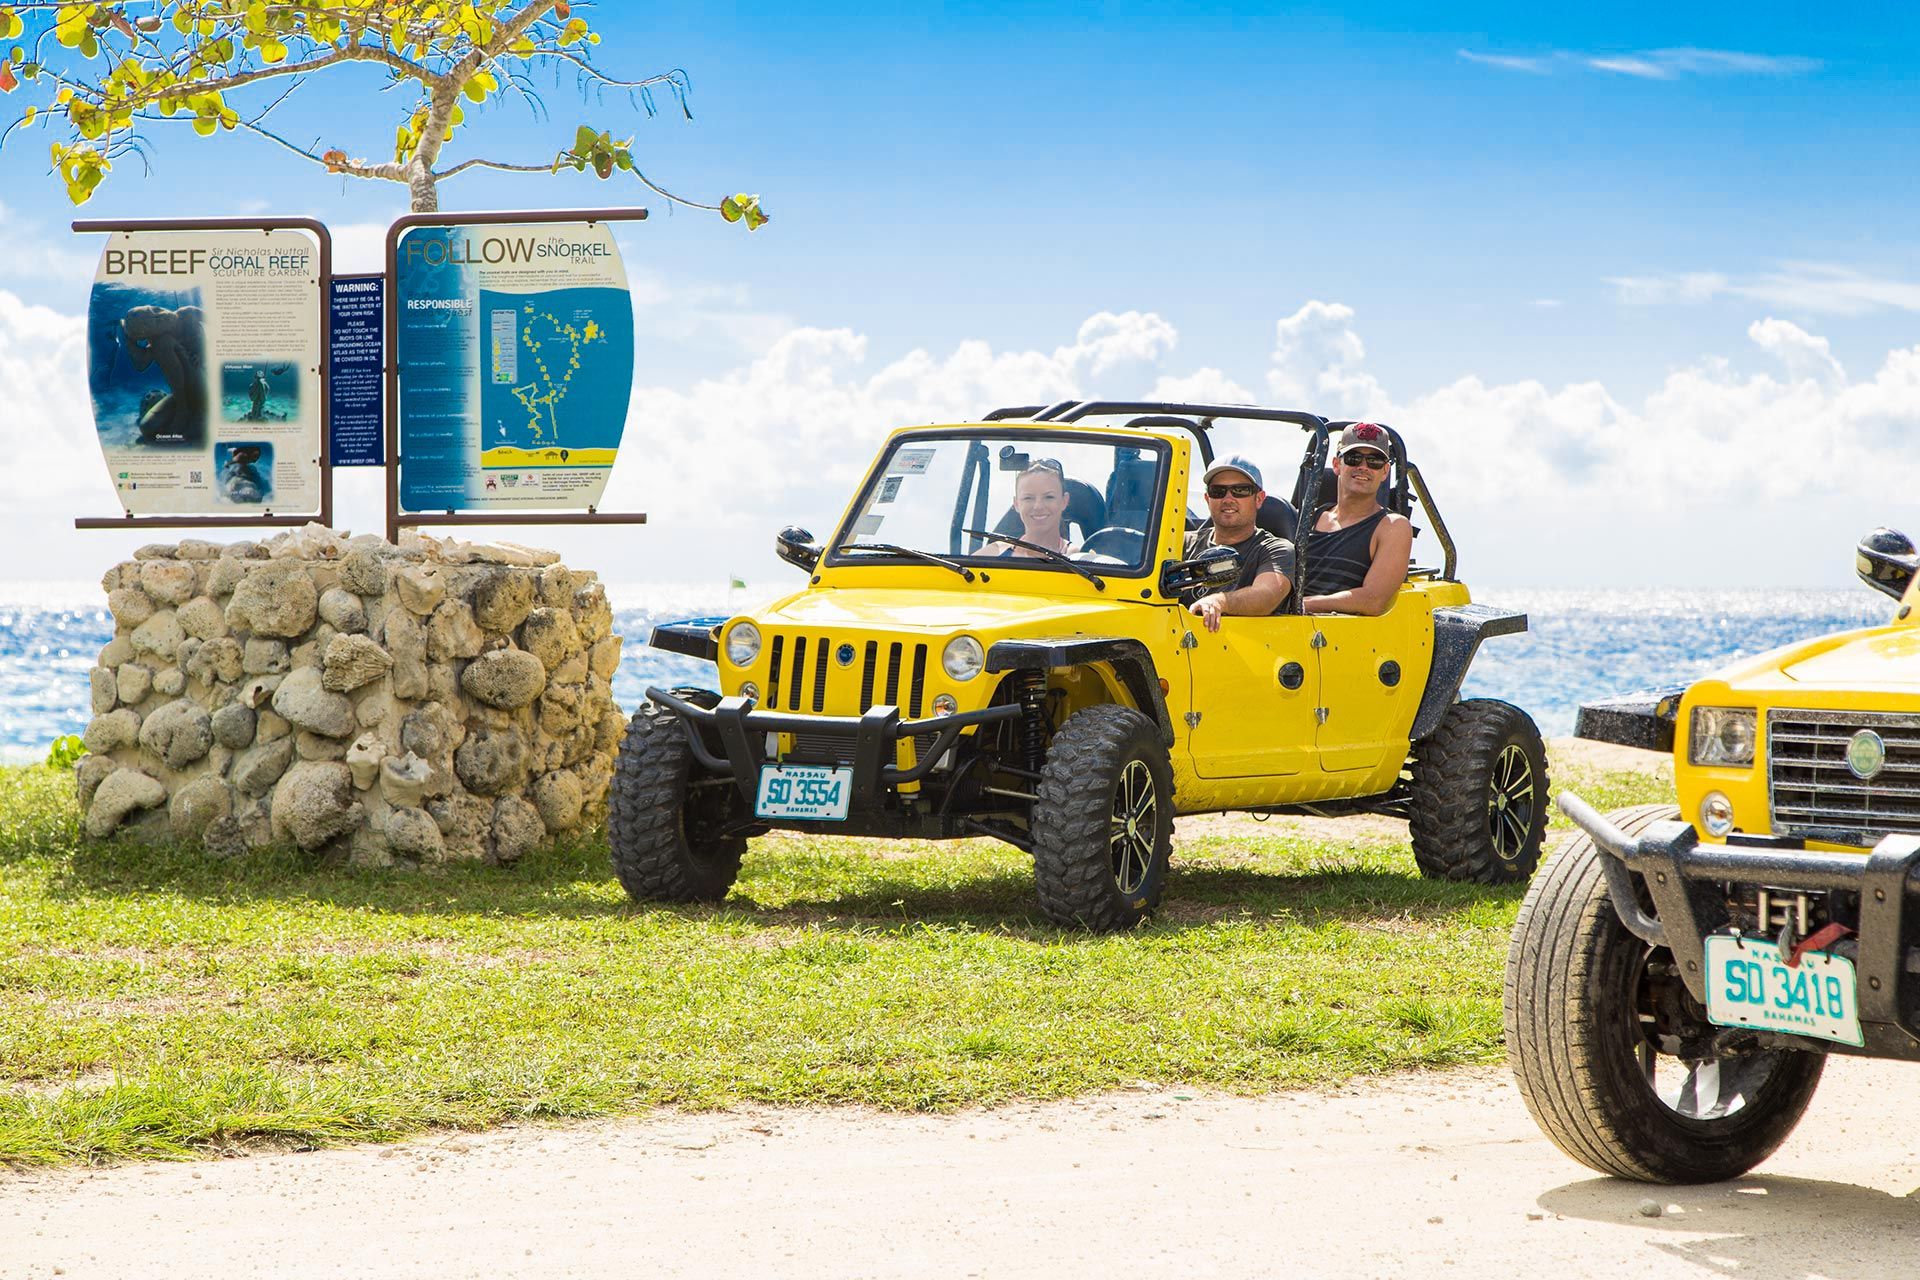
<point x="1815" y="795"/>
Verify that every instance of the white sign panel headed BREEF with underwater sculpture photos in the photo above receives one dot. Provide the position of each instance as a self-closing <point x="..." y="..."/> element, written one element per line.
<point x="204" y="352"/>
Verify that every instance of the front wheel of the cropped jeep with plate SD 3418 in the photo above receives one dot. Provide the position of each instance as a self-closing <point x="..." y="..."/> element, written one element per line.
<point x="1585" y="1007"/>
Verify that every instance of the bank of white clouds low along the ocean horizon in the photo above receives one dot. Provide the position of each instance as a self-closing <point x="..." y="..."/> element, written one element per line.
<point x="1621" y="488"/>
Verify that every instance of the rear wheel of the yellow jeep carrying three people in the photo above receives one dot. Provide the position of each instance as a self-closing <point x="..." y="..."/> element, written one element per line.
<point x="1479" y="807"/>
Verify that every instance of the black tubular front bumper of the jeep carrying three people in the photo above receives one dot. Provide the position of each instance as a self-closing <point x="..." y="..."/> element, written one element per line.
<point x="875" y="736"/>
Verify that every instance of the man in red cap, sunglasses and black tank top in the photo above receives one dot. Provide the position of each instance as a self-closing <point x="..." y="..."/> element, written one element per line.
<point x="1358" y="550"/>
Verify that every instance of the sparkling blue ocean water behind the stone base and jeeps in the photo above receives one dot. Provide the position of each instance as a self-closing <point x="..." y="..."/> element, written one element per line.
<point x="1579" y="646"/>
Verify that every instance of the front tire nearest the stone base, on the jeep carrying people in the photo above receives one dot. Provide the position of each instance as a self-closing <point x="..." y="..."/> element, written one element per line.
<point x="663" y="836"/>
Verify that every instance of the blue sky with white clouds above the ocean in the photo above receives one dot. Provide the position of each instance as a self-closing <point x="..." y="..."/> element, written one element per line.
<point x="1550" y="243"/>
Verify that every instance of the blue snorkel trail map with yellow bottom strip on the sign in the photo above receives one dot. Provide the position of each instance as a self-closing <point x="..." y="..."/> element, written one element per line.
<point x="554" y="389"/>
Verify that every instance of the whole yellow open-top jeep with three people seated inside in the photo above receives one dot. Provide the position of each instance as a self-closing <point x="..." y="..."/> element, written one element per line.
<point x="928" y="682"/>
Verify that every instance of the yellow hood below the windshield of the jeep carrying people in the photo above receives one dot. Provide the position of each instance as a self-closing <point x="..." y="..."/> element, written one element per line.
<point x="984" y="613"/>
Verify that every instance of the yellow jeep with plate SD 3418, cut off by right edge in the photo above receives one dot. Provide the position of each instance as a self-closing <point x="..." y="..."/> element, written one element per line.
<point x="1679" y="976"/>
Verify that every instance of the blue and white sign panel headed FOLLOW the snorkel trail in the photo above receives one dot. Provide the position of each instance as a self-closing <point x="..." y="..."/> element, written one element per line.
<point x="516" y="352"/>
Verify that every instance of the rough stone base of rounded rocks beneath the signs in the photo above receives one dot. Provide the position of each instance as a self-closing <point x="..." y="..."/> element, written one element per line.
<point x="395" y="705"/>
